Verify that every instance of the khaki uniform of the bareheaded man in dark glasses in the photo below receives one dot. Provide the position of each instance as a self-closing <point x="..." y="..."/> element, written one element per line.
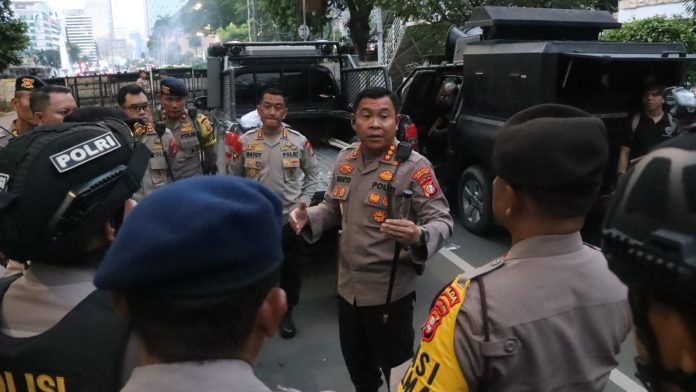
<point x="161" y="152"/>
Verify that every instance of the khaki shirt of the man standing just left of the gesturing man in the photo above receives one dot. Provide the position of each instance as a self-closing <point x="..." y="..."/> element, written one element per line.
<point x="285" y="164"/>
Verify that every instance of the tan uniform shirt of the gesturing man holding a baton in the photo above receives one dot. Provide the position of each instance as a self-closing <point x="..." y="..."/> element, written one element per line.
<point x="357" y="199"/>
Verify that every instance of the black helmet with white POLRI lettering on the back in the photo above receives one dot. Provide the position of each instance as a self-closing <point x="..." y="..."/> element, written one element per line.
<point x="55" y="177"/>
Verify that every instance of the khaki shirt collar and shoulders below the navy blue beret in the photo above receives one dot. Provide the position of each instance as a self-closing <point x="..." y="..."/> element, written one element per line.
<point x="218" y="375"/>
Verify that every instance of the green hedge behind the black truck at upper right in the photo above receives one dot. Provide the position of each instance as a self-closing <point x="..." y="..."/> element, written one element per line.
<point x="656" y="29"/>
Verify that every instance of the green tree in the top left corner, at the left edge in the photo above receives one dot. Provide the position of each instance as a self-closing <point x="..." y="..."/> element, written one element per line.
<point x="13" y="36"/>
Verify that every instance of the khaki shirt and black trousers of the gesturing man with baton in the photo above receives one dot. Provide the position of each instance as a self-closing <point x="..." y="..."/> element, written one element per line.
<point x="357" y="200"/>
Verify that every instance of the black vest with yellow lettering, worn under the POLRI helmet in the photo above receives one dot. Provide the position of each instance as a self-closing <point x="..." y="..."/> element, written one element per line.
<point x="82" y="353"/>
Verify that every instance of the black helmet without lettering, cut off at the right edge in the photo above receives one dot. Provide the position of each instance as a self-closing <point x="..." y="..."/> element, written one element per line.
<point x="649" y="232"/>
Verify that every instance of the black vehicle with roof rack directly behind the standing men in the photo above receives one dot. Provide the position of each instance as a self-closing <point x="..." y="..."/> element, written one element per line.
<point x="319" y="82"/>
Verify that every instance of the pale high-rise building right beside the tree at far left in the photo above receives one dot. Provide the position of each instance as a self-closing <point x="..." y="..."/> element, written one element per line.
<point x="45" y="28"/>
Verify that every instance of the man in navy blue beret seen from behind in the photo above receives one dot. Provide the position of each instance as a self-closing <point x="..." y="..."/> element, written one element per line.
<point x="204" y="319"/>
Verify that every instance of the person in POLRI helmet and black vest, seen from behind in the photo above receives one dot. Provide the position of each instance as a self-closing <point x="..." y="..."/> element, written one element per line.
<point x="62" y="188"/>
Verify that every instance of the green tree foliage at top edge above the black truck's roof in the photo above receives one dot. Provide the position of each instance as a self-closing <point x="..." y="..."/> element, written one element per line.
<point x="457" y="12"/>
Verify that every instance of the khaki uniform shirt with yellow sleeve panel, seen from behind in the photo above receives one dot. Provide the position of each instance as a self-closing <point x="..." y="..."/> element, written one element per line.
<point x="557" y="317"/>
